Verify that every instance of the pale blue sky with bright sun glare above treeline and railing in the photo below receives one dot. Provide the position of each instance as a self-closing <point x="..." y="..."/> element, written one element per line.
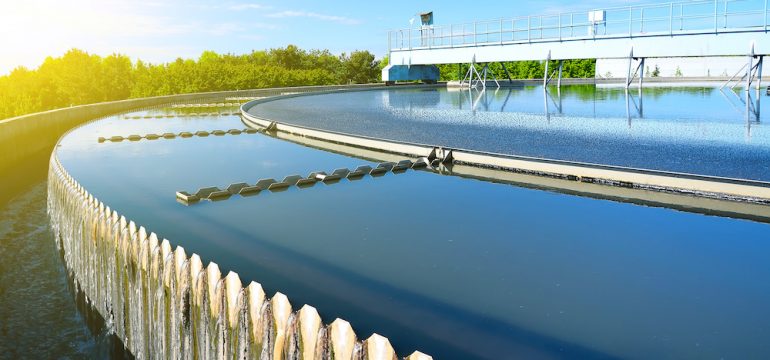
<point x="162" y="30"/>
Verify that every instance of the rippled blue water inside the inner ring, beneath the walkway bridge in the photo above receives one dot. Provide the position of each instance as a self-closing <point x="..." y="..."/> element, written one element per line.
<point x="699" y="130"/>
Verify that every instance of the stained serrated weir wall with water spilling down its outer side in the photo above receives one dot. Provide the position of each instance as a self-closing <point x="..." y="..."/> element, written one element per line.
<point x="163" y="304"/>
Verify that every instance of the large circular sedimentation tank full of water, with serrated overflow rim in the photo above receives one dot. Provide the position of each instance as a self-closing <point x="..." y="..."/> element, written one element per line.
<point x="524" y="263"/>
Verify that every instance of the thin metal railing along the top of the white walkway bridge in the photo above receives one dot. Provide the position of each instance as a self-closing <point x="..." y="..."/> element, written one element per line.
<point x="685" y="17"/>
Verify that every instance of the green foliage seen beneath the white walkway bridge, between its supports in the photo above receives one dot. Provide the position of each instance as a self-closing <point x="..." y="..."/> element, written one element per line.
<point x="523" y="69"/>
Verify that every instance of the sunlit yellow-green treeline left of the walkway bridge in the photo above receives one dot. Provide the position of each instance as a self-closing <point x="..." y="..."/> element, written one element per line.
<point x="80" y="78"/>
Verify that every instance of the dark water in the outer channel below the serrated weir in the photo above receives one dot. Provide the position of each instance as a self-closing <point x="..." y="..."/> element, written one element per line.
<point x="40" y="315"/>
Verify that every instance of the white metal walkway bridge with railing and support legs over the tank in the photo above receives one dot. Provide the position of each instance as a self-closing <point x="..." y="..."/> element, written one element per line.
<point x="704" y="28"/>
